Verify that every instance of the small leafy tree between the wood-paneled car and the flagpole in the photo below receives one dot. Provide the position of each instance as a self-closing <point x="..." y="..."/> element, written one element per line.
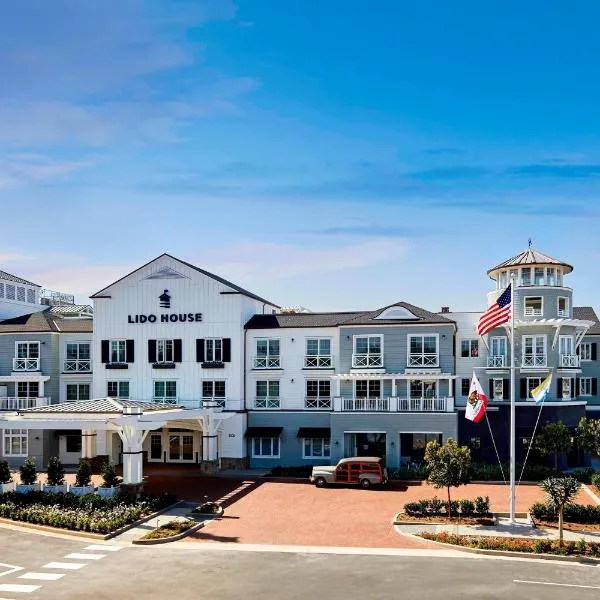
<point x="448" y="466"/>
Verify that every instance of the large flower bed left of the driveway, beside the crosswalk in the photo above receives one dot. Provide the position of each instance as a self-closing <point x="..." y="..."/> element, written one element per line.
<point x="84" y="513"/>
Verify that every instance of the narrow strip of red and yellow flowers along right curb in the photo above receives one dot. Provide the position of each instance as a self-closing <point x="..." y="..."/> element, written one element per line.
<point x="581" y="548"/>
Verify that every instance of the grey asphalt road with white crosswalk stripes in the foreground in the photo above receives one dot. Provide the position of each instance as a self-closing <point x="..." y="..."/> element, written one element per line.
<point x="192" y="572"/>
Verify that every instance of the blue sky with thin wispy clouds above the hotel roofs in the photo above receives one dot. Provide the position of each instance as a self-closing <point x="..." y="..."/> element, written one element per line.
<point x="335" y="155"/>
